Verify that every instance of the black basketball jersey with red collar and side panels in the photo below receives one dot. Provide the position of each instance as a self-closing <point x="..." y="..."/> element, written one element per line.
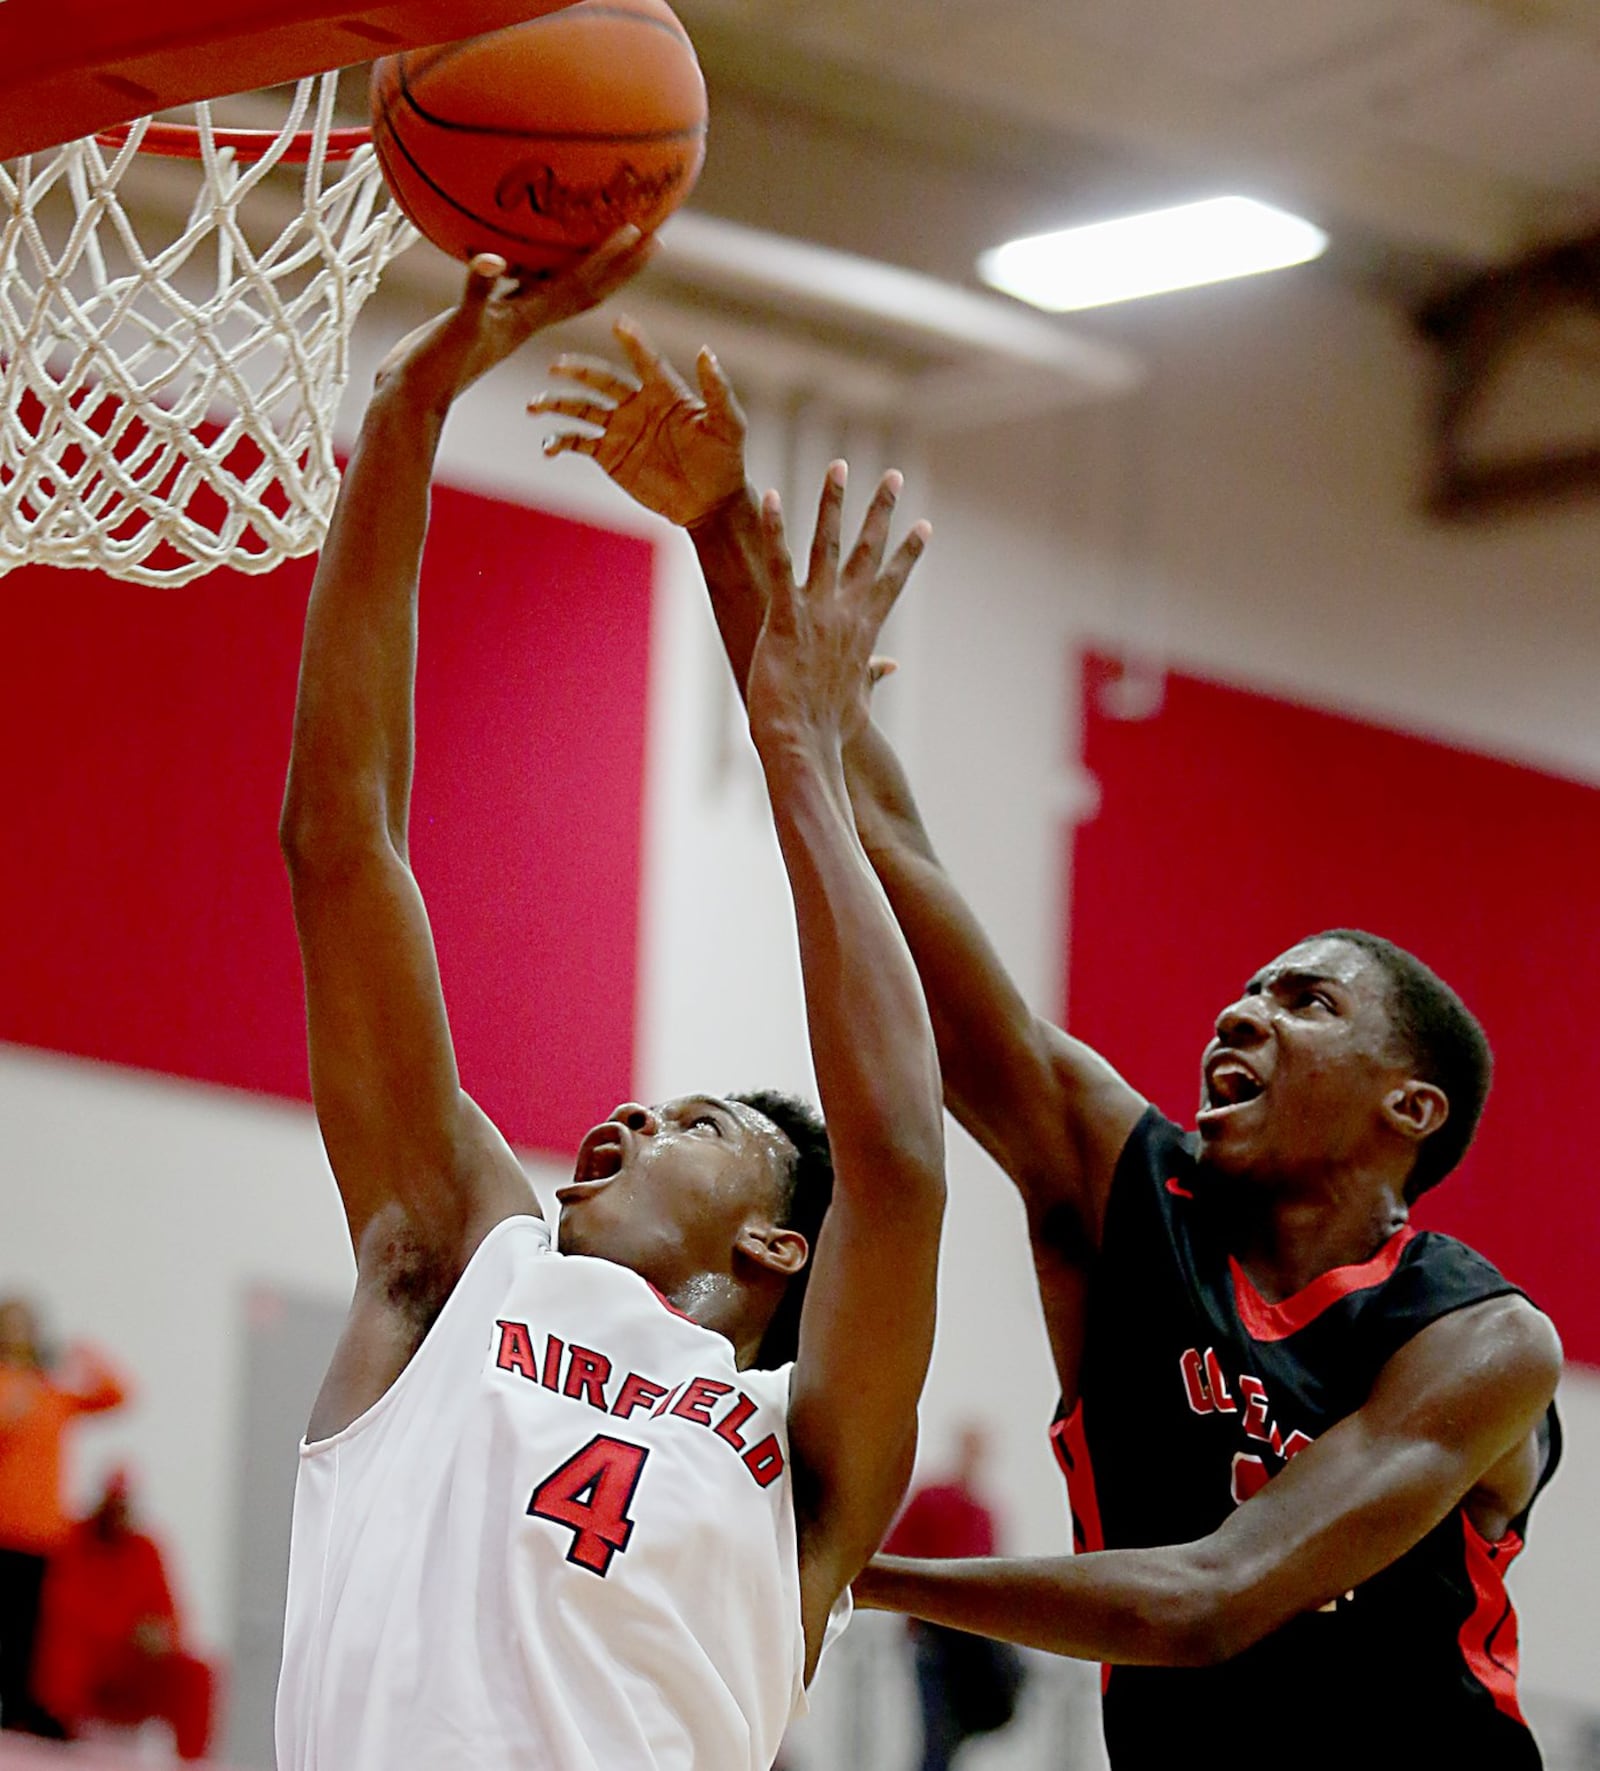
<point x="1195" y="1393"/>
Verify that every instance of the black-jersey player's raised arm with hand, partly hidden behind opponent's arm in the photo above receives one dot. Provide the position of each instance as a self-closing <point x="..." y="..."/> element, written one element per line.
<point x="1045" y="1106"/>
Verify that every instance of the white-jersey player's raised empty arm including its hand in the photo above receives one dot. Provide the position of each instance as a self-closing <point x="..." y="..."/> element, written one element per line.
<point x="867" y="1326"/>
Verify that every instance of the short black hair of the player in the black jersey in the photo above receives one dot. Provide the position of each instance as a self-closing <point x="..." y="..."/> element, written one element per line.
<point x="1445" y="1042"/>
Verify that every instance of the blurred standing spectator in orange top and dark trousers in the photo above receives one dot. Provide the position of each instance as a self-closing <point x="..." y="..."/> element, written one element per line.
<point x="38" y="1402"/>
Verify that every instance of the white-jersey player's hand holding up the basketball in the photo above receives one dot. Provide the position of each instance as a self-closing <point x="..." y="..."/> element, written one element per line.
<point x="447" y="355"/>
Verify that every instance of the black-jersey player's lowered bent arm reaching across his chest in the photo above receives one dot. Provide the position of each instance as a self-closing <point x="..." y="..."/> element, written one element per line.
<point x="1452" y="1421"/>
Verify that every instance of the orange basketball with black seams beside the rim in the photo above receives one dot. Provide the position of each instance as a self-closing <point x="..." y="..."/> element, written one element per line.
<point x="541" y="141"/>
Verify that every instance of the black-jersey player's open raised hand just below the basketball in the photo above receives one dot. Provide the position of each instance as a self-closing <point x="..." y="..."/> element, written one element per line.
<point x="680" y="454"/>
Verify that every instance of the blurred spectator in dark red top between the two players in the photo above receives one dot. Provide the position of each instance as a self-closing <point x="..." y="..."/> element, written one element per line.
<point x="965" y="1685"/>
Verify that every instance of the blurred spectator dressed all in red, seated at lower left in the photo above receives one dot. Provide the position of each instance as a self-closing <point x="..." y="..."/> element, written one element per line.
<point x="111" y="1641"/>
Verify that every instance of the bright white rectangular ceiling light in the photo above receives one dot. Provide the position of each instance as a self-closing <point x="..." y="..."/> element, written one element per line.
<point x="1151" y="254"/>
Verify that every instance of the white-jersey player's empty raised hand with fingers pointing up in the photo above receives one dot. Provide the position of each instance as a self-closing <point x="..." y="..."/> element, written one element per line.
<point x="814" y="667"/>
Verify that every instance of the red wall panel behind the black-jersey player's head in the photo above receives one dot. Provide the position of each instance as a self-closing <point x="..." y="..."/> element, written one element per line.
<point x="1232" y="824"/>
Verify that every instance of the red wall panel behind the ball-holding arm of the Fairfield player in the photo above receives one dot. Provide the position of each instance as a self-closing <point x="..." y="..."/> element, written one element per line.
<point x="146" y="736"/>
